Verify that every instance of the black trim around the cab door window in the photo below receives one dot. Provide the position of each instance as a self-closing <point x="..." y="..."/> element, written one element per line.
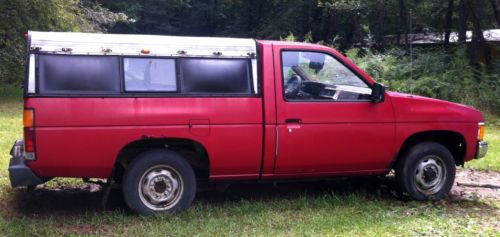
<point x="318" y="100"/>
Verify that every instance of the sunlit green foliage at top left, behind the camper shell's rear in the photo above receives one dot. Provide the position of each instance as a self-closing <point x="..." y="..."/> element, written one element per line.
<point x="20" y="16"/>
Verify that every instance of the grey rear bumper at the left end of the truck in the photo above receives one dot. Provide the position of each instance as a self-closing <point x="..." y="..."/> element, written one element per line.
<point x="19" y="173"/>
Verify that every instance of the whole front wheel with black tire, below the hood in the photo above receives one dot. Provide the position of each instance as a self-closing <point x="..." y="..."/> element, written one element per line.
<point x="426" y="172"/>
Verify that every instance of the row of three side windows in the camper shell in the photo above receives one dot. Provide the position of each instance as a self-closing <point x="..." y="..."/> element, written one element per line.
<point x="103" y="75"/>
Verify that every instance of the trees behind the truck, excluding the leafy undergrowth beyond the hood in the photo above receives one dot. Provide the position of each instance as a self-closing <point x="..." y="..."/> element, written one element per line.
<point x="343" y="24"/>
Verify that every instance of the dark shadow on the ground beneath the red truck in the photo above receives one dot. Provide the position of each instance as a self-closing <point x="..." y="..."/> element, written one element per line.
<point x="74" y="201"/>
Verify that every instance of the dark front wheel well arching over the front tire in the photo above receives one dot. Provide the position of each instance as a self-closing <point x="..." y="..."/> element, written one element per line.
<point x="453" y="141"/>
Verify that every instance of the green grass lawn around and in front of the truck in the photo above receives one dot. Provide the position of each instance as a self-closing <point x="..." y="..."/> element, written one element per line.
<point x="318" y="209"/>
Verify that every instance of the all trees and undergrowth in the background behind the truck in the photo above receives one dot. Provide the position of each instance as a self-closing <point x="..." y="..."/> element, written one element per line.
<point x="376" y="34"/>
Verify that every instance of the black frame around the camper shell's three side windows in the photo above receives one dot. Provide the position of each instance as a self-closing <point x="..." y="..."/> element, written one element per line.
<point x="146" y="94"/>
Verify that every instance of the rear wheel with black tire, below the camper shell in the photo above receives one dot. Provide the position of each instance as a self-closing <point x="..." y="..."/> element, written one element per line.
<point x="158" y="181"/>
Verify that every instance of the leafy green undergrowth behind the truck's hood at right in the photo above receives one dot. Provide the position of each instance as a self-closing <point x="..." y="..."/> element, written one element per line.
<point x="435" y="73"/>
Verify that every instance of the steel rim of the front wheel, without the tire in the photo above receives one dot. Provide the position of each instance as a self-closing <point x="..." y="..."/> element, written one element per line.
<point x="430" y="175"/>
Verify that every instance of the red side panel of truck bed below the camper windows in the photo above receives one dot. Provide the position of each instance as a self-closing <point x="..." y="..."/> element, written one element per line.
<point x="81" y="137"/>
